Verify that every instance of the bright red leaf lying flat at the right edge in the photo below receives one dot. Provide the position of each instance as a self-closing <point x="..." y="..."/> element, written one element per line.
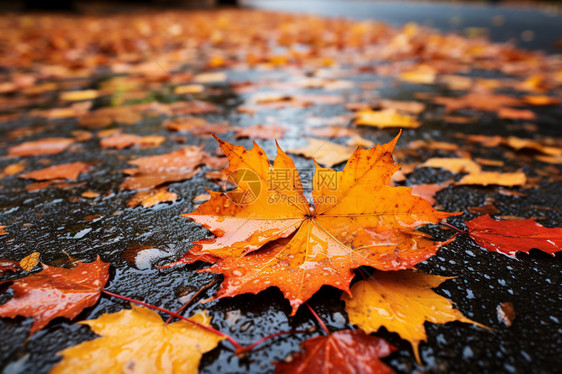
<point x="512" y="236"/>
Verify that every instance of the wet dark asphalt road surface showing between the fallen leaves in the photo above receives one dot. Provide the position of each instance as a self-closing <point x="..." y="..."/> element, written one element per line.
<point x="47" y="221"/>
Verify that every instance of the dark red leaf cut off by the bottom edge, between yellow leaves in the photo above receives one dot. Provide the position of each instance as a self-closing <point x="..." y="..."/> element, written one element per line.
<point x="346" y="351"/>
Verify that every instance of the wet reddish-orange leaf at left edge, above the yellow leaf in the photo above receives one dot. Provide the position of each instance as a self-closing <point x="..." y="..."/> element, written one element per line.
<point x="56" y="292"/>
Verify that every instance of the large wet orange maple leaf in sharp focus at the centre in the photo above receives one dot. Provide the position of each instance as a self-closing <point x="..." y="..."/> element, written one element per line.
<point x="277" y="238"/>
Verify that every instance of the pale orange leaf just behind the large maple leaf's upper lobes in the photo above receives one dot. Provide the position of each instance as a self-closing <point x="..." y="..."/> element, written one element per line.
<point x="324" y="152"/>
